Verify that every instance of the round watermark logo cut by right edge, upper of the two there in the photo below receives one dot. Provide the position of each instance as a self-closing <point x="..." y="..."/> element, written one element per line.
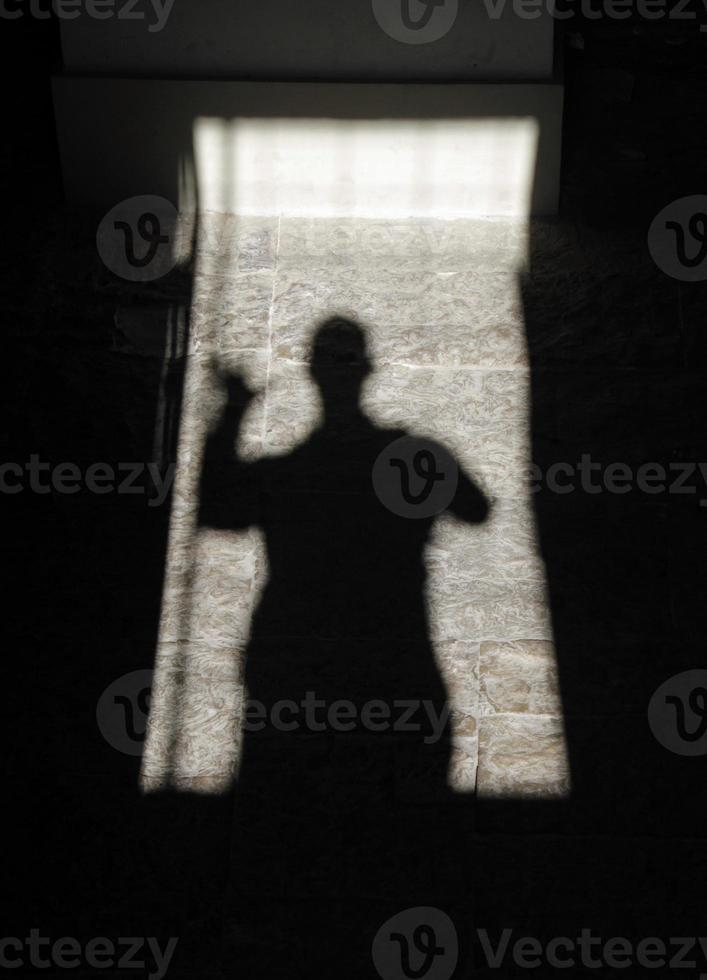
<point x="677" y="239"/>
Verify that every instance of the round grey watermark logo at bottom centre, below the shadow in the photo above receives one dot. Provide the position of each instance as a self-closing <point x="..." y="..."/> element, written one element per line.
<point x="417" y="944"/>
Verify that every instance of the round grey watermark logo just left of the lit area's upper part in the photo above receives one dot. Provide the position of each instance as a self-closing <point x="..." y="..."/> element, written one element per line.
<point x="135" y="239"/>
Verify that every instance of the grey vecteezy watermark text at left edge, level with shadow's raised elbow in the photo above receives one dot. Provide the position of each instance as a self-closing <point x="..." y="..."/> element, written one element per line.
<point x="42" y="477"/>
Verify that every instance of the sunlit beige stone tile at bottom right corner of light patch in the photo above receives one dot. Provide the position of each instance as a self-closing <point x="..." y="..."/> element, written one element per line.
<point x="522" y="756"/>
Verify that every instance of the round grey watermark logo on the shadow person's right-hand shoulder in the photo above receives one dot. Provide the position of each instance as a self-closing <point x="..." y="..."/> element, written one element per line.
<point x="415" y="477"/>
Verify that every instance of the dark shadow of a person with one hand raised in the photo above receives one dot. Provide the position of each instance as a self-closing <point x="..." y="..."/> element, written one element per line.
<point x="342" y="804"/>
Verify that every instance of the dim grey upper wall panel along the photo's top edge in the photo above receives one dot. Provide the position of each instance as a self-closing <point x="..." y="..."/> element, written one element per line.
<point x="280" y="39"/>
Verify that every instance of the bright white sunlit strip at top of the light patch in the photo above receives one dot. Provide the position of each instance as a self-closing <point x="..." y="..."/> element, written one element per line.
<point x="442" y="168"/>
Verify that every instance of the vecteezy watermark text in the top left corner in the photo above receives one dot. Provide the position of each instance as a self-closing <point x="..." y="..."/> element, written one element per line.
<point x="155" y="12"/>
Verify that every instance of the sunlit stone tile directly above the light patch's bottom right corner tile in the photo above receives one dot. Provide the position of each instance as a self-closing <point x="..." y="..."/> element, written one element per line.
<point x="518" y="677"/>
